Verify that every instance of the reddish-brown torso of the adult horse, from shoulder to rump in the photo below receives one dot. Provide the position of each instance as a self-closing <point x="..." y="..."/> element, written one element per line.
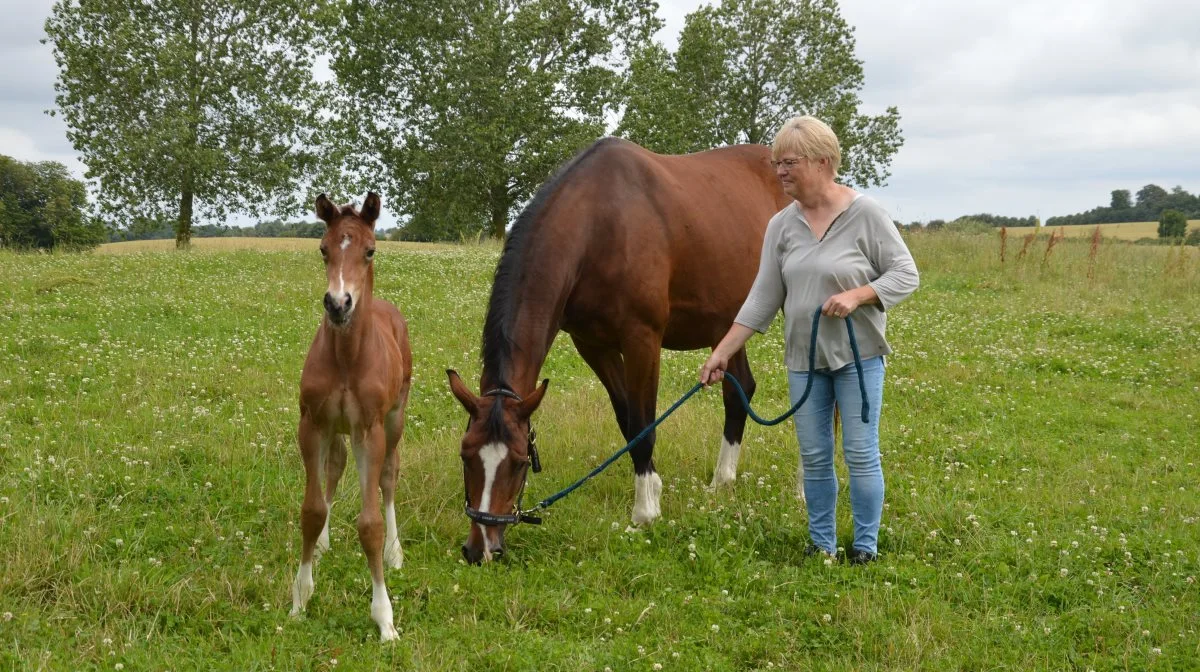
<point x="677" y="237"/>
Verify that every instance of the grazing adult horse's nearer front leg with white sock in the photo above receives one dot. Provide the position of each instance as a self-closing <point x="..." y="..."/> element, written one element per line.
<point x="643" y="386"/>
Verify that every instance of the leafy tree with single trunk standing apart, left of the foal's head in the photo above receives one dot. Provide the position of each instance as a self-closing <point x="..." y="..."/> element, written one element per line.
<point x="185" y="106"/>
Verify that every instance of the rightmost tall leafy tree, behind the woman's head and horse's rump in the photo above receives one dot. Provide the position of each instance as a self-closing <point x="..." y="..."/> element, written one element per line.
<point x="747" y="67"/>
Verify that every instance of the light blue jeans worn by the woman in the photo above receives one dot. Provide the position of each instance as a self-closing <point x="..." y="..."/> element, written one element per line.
<point x="861" y="448"/>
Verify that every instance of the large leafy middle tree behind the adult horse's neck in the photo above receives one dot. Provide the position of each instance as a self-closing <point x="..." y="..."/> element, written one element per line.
<point x="460" y="109"/>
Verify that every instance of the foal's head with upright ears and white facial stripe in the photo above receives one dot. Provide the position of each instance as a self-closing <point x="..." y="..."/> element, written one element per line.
<point x="349" y="251"/>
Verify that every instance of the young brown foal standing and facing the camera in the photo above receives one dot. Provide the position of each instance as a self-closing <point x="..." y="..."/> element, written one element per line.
<point x="356" y="382"/>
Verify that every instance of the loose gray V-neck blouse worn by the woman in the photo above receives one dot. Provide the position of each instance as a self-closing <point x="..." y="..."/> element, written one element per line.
<point x="799" y="274"/>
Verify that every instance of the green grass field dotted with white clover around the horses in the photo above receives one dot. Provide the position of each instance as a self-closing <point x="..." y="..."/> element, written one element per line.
<point x="1040" y="447"/>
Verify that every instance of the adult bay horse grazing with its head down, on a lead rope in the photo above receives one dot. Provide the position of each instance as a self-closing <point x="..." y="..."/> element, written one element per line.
<point x="629" y="253"/>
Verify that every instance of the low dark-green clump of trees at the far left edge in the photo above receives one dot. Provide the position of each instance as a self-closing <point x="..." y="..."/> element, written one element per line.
<point x="44" y="207"/>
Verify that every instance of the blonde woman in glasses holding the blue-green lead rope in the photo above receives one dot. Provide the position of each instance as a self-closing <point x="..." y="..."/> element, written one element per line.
<point x="837" y="250"/>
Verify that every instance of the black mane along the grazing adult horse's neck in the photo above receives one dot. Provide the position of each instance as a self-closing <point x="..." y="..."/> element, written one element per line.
<point x="496" y="350"/>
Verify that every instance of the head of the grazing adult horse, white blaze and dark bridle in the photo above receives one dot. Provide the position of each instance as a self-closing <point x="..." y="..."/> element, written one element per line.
<point x="496" y="459"/>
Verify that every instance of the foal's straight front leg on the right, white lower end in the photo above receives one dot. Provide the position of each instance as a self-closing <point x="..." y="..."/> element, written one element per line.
<point x="370" y="452"/>
